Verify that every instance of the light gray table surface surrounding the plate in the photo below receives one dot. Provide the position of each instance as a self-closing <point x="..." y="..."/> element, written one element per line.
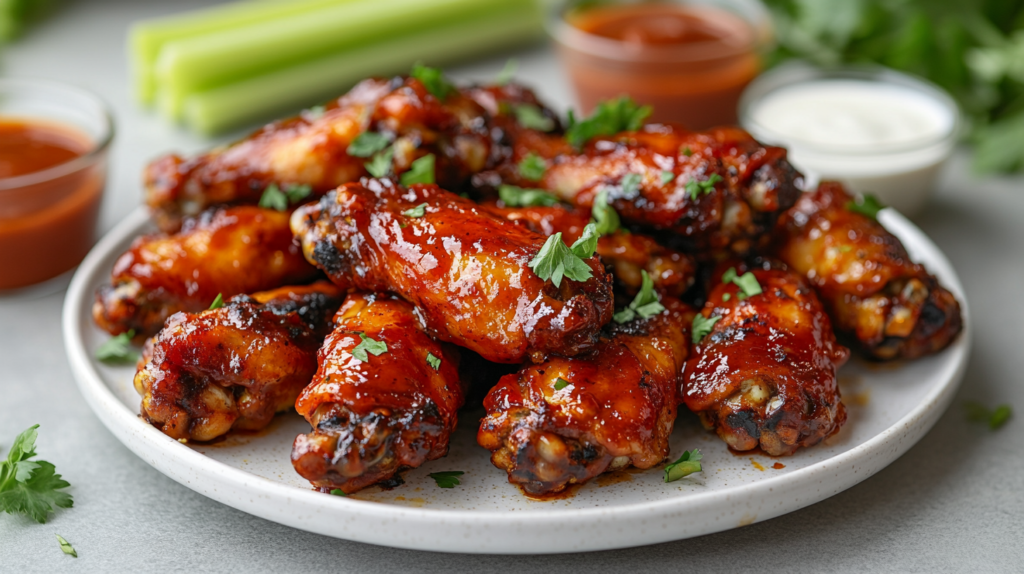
<point x="954" y="503"/>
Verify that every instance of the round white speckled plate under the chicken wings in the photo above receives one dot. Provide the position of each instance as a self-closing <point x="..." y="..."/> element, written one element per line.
<point x="891" y="408"/>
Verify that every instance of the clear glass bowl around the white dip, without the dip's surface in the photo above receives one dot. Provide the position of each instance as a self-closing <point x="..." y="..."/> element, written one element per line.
<point x="901" y="174"/>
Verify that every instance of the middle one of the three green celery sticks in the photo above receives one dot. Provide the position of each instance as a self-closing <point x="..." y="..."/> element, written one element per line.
<point x="218" y="60"/>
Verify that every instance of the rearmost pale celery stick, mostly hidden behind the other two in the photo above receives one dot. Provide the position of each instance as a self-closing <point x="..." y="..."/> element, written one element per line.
<point x="148" y="37"/>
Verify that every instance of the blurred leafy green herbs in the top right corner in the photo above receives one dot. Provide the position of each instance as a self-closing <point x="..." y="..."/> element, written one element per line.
<point x="973" y="49"/>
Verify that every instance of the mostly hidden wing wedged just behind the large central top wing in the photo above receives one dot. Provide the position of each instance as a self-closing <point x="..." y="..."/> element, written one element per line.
<point x="625" y="254"/>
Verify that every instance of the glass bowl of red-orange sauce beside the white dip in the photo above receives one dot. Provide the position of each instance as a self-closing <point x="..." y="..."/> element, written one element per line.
<point x="690" y="60"/>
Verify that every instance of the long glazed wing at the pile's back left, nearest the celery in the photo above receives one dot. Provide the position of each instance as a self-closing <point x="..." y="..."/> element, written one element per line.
<point x="311" y="150"/>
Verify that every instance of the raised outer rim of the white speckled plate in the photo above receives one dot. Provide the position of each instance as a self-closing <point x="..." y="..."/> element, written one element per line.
<point x="123" y="423"/>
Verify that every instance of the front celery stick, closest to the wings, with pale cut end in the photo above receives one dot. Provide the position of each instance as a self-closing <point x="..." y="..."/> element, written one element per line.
<point x="229" y="107"/>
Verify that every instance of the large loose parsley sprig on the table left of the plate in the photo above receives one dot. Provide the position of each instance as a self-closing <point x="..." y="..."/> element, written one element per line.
<point x="30" y="488"/>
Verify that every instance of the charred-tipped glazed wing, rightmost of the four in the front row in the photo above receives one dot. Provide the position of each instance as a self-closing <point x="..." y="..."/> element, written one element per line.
<point x="765" y="376"/>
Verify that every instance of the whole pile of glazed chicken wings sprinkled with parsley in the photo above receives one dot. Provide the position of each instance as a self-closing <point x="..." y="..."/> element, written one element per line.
<point x="413" y="243"/>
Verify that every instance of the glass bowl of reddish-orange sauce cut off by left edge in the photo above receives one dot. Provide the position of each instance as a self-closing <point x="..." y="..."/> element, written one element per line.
<point x="55" y="141"/>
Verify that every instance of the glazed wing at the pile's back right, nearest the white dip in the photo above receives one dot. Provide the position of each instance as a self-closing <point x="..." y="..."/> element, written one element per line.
<point x="735" y="216"/>
